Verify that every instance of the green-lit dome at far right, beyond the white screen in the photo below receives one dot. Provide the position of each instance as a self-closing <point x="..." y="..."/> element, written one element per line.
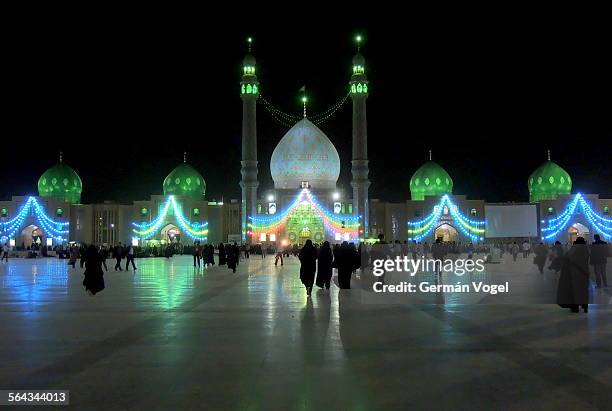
<point x="548" y="182"/>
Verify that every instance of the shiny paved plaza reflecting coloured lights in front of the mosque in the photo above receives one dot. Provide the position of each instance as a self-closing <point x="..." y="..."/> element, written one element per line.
<point x="169" y="337"/>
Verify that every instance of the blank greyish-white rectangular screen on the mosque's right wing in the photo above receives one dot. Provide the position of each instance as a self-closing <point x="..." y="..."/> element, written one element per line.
<point x="511" y="220"/>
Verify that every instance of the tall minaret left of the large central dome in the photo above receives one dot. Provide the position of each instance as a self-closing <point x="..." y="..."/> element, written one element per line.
<point x="249" y="92"/>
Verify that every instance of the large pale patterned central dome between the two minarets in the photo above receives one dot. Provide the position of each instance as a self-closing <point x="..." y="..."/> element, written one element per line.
<point x="305" y="154"/>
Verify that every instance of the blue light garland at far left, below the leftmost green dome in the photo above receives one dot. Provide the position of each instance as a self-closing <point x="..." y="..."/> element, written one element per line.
<point x="58" y="230"/>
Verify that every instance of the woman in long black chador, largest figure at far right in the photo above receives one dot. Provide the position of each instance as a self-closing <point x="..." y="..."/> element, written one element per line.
<point x="573" y="290"/>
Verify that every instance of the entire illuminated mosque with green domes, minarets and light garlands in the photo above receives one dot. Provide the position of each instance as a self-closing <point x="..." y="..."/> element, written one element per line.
<point x="306" y="201"/>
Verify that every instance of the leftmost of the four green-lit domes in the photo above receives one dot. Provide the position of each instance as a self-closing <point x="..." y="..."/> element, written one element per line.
<point x="61" y="183"/>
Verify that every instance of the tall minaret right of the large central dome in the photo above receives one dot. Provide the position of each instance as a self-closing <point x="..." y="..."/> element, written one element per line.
<point x="359" y="169"/>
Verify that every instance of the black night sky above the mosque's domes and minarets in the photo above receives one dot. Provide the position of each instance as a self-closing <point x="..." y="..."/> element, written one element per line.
<point x="123" y="105"/>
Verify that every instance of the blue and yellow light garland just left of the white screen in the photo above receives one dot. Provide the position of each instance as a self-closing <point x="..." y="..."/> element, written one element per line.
<point x="420" y="229"/>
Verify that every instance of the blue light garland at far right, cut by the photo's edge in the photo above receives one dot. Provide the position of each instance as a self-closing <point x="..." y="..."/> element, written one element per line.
<point x="556" y="225"/>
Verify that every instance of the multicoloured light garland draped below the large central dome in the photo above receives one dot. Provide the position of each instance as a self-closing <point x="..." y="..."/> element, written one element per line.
<point x="334" y="223"/>
